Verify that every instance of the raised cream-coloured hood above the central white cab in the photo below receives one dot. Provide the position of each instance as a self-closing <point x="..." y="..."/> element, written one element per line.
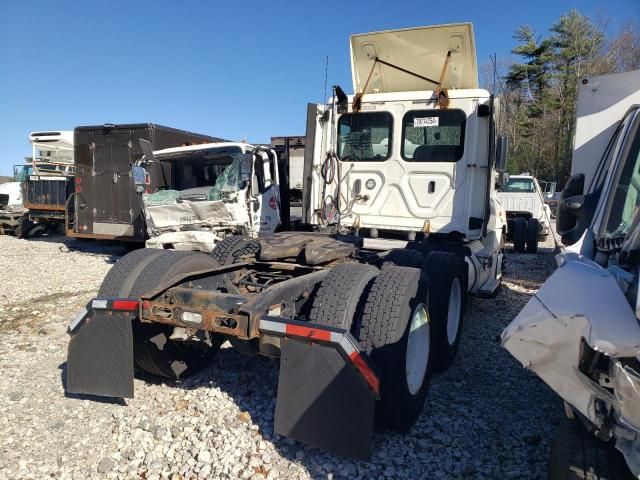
<point x="421" y="50"/>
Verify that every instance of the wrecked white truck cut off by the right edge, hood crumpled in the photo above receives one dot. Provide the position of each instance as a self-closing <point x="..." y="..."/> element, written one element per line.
<point x="580" y="332"/>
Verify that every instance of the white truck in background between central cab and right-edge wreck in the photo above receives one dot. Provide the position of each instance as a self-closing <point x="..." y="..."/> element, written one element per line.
<point x="528" y="216"/>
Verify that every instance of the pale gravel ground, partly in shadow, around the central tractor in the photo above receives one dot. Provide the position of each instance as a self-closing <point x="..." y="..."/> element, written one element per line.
<point x="485" y="418"/>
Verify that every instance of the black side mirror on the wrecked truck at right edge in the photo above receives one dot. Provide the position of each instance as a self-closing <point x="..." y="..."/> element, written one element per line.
<point x="575" y="210"/>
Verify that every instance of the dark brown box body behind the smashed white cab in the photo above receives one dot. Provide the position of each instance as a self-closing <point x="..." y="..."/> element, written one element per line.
<point x="104" y="203"/>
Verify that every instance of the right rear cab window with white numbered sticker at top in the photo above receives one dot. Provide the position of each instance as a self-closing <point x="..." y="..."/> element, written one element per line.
<point x="433" y="135"/>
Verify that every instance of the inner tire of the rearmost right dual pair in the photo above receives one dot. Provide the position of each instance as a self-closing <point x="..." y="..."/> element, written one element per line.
<point x="340" y="295"/>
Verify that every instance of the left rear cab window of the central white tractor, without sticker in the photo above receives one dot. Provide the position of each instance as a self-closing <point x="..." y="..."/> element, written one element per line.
<point x="365" y="136"/>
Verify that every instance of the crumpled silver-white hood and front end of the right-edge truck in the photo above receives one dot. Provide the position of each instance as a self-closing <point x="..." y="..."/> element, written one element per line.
<point x="585" y="348"/>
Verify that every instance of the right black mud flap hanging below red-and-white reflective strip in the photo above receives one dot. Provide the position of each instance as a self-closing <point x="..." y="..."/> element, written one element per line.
<point x="323" y="400"/>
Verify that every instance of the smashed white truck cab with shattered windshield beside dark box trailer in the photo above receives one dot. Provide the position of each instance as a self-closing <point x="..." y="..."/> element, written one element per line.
<point x="218" y="189"/>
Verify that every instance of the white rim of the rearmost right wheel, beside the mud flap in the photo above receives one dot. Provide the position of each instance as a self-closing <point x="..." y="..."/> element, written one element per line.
<point x="418" y="346"/>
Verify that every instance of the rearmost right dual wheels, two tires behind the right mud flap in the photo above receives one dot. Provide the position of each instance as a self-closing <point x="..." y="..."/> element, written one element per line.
<point x="387" y="312"/>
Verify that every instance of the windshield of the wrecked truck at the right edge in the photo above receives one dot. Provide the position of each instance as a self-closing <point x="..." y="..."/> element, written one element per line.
<point x="626" y="196"/>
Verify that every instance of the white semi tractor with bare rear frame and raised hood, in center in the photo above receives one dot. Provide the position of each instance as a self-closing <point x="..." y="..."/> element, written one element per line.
<point x="366" y="298"/>
